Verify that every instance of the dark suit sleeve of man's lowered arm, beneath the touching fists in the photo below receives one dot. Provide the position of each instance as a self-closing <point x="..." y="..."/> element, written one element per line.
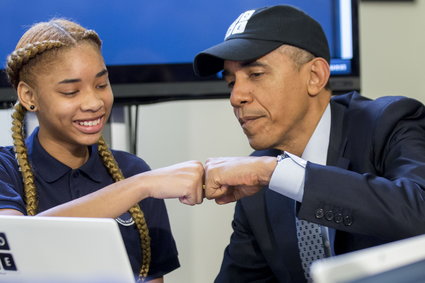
<point x="243" y="260"/>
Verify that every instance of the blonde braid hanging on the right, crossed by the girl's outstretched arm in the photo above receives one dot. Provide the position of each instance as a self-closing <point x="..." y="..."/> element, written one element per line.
<point x="136" y="212"/>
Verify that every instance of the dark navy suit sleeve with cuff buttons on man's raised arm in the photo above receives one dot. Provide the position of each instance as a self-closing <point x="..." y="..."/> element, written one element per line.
<point x="381" y="194"/>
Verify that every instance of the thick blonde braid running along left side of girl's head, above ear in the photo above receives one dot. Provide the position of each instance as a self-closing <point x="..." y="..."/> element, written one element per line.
<point x="21" y="56"/>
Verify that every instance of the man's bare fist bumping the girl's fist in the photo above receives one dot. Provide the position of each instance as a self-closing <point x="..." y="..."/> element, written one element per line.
<point x="229" y="179"/>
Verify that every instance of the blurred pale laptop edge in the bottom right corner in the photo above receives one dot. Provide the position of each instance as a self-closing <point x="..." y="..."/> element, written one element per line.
<point x="397" y="262"/>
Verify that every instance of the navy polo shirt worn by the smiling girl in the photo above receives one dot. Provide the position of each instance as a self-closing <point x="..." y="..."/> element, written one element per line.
<point x="57" y="183"/>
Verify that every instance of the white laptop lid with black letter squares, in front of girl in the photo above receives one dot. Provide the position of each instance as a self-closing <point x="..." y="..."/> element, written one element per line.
<point x="62" y="249"/>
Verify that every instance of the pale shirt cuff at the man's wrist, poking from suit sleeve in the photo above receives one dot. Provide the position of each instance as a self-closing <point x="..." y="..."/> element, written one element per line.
<point x="288" y="177"/>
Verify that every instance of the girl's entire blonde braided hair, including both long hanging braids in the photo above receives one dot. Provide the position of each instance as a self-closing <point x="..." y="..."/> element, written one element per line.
<point x="41" y="43"/>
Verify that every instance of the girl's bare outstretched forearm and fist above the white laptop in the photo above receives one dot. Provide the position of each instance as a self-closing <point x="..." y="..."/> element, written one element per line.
<point x="183" y="181"/>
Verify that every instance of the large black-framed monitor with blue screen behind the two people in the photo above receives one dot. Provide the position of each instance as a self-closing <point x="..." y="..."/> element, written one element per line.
<point x="149" y="45"/>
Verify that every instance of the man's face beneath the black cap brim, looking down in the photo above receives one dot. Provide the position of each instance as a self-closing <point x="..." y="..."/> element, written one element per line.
<point x="270" y="99"/>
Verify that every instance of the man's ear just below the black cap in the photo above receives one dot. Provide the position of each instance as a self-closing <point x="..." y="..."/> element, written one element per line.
<point x="319" y="75"/>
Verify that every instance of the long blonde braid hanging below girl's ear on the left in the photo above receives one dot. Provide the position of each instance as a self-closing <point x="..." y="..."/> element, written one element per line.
<point x="22" y="157"/>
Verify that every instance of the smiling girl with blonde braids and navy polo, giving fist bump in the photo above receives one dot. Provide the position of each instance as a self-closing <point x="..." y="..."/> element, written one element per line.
<point x="64" y="168"/>
